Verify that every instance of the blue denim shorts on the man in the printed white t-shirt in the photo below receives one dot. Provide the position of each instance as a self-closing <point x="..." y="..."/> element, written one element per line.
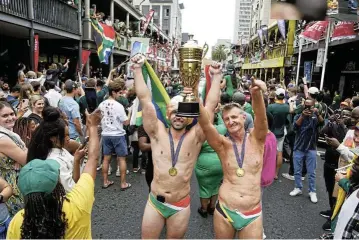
<point x="114" y="144"/>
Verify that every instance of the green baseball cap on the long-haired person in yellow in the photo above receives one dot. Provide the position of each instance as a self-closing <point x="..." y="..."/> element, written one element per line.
<point x="39" y="176"/>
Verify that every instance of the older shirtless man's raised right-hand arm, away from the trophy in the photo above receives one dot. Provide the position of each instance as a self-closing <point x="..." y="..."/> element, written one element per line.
<point x="260" y="121"/>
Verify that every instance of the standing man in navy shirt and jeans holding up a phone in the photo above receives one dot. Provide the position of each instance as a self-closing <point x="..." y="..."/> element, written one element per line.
<point x="305" y="146"/>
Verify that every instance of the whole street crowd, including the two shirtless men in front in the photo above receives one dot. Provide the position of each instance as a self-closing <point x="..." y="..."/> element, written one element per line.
<point x="52" y="143"/>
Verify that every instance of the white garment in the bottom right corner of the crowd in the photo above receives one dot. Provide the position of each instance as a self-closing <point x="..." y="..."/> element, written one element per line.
<point x="345" y="214"/>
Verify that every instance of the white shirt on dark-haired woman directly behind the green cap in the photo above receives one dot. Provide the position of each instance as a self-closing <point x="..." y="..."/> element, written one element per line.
<point x="66" y="161"/>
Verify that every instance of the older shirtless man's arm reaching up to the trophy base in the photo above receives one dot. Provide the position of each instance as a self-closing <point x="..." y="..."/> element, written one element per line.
<point x="214" y="139"/>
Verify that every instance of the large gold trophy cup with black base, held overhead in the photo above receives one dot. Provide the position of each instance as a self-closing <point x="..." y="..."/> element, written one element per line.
<point x="191" y="56"/>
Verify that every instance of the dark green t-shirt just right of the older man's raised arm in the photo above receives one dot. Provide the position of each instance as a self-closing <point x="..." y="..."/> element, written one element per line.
<point x="280" y="112"/>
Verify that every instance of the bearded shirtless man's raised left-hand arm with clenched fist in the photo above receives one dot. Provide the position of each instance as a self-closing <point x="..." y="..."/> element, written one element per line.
<point x="149" y="116"/>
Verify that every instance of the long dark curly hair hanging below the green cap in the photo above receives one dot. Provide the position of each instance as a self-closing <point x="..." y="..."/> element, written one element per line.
<point x="43" y="215"/>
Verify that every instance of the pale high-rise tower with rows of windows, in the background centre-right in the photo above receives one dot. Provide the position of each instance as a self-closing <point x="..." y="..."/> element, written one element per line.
<point x="242" y="21"/>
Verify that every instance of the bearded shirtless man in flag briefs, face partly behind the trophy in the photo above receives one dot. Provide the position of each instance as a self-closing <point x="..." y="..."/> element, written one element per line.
<point x="169" y="200"/>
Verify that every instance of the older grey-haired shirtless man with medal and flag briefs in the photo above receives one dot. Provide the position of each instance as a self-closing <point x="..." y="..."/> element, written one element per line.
<point x="239" y="202"/>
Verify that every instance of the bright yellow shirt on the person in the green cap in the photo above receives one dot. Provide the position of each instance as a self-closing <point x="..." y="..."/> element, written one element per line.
<point x="77" y="210"/>
